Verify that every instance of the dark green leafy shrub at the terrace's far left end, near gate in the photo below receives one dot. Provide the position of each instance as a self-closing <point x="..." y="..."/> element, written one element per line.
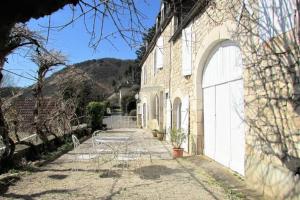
<point x="95" y="111"/>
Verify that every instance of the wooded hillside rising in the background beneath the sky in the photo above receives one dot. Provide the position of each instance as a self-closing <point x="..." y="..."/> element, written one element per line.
<point x="102" y="77"/>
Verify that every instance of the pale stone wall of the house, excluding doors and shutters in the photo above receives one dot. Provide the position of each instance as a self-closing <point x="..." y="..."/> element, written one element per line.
<point x="271" y="92"/>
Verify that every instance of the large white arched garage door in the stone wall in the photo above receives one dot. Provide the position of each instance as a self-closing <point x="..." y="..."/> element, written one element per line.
<point x="224" y="136"/>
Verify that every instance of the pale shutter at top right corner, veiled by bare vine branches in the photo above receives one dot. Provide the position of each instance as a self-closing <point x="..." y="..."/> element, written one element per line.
<point x="276" y="17"/>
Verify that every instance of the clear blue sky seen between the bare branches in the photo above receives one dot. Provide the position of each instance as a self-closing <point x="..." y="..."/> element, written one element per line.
<point x="73" y="41"/>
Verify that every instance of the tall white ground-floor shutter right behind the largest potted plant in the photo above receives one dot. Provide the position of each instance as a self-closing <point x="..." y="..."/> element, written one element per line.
<point x="185" y="121"/>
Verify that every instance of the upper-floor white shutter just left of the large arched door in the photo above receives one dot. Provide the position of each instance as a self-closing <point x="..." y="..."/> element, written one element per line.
<point x="187" y="50"/>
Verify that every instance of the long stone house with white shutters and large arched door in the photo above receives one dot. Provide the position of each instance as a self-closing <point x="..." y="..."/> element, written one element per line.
<point x="227" y="73"/>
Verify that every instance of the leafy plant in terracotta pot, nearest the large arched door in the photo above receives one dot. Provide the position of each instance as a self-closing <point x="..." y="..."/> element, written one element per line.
<point x="177" y="138"/>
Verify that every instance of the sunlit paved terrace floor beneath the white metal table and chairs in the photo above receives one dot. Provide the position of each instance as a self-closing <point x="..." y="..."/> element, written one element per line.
<point x="155" y="175"/>
